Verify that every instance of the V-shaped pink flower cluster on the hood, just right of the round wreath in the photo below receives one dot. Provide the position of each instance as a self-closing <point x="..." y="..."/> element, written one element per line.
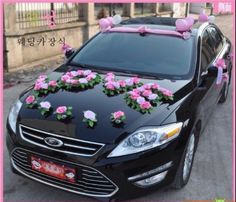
<point x="113" y="87"/>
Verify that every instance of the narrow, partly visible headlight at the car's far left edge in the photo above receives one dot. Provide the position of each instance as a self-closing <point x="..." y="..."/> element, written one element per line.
<point x="13" y="114"/>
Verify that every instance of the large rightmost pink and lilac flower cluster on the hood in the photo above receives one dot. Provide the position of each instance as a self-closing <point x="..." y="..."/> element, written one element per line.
<point x="144" y="98"/>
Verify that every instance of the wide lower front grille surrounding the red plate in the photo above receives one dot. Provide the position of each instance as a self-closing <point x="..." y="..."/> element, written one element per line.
<point x="90" y="182"/>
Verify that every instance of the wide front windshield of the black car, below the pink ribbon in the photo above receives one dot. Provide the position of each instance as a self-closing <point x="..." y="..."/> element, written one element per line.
<point x="159" y="55"/>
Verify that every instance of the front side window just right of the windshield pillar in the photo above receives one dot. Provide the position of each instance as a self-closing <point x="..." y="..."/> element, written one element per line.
<point x="207" y="53"/>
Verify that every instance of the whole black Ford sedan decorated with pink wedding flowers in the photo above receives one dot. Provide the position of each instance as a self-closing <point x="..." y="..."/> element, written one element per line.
<point x="150" y="147"/>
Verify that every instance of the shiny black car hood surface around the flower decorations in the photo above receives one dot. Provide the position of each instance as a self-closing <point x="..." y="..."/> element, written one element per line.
<point x="96" y="100"/>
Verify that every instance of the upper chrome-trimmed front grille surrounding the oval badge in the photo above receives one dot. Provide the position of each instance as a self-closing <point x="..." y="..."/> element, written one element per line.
<point x="70" y="146"/>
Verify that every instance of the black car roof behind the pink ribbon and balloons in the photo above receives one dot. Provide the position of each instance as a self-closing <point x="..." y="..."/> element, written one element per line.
<point x="164" y="23"/>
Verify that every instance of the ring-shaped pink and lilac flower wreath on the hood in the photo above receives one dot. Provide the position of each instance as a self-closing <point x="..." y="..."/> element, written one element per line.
<point x="79" y="79"/>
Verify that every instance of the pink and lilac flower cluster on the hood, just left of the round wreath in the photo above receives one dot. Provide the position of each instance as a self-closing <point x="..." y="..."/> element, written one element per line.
<point x="43" y="85"/>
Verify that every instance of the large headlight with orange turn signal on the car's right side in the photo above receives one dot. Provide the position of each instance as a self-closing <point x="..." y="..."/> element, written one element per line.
<point x="147" y="138"/>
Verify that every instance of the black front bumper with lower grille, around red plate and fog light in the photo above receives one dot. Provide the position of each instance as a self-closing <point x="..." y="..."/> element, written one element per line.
<point x="116" y="171"/>
